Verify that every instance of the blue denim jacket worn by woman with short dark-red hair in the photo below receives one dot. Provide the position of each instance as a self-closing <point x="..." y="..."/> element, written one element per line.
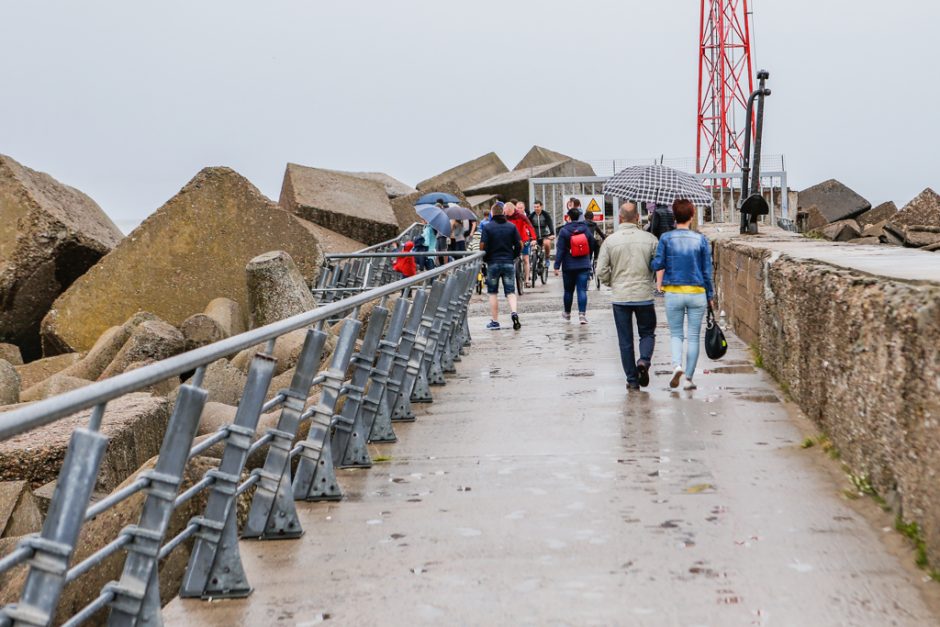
<point x="686" y="256"/>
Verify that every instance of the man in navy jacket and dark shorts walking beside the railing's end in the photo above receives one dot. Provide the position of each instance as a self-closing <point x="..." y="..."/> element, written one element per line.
<point x="501" y="245"/>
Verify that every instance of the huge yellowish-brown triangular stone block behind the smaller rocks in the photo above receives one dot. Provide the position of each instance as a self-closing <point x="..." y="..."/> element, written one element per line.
<point x="191" y="250"/>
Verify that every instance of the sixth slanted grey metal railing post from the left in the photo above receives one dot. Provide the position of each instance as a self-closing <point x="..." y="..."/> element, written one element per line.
<point x="350" y="448"/>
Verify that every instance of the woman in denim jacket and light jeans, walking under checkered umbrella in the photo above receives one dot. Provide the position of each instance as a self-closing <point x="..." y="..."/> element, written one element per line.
<point x="683" y="266"/>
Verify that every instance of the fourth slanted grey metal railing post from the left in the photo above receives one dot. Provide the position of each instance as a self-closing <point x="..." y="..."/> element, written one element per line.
<point x="273" y="514"/>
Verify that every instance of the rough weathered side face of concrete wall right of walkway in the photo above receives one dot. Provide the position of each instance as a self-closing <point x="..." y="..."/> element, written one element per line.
<point x="860" y="355"/>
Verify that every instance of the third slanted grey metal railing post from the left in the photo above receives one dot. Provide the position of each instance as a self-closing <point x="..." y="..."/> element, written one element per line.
<point x="214" y="568"/>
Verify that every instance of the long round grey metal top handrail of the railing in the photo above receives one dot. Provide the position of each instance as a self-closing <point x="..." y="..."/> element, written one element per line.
<point x="44" y="412"/>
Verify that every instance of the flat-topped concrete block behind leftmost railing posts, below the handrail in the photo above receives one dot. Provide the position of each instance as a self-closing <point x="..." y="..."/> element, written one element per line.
<point x="134" y="425"/>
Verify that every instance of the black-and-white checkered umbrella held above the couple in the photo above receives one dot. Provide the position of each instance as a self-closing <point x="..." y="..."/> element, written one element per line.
<point x="659" y="184"/>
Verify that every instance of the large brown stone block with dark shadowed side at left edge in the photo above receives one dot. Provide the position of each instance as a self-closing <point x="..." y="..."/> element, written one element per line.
<point x="50" y="234"/>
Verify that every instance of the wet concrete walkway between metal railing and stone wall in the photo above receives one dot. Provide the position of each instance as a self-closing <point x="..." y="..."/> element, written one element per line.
<point x="536" y="490"/>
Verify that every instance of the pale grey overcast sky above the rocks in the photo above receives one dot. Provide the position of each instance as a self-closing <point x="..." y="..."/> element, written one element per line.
<point x="128" y="100"/>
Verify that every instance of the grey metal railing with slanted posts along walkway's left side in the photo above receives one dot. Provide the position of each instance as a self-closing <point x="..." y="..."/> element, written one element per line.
<point x="415" y="333"/>
